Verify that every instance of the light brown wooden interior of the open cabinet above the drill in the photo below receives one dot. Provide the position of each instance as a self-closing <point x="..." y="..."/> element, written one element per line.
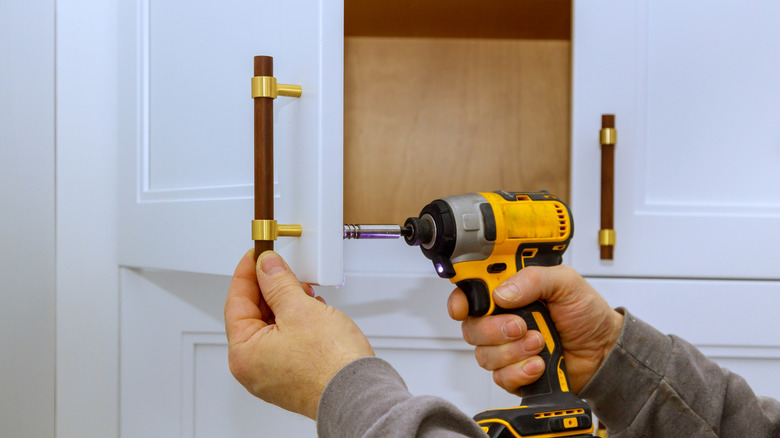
<point x="448" y="97"/>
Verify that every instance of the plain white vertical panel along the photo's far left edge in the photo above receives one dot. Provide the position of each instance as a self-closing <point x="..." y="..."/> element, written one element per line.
<point x="27" y="263"/>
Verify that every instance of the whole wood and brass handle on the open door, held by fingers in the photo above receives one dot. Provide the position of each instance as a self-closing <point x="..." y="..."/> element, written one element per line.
<point x="264" y="90"/>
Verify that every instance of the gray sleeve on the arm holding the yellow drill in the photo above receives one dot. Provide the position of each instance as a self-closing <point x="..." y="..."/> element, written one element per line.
<point x="656" y="385"/>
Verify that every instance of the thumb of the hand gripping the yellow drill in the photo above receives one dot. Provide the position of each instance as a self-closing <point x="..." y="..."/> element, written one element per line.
<point x="534" y="283"/>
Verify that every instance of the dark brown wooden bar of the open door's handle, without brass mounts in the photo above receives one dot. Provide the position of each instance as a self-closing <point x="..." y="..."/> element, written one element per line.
<point x="264" y="153"/>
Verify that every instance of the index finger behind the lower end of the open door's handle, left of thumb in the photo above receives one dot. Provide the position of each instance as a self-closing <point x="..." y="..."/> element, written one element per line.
<point x="243" y="316"/>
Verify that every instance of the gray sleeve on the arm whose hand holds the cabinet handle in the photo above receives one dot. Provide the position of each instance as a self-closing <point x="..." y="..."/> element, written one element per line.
<point x="367" y="398"/>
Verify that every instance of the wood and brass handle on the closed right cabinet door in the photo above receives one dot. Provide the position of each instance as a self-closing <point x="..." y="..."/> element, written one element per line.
<point x="608" y="139"/>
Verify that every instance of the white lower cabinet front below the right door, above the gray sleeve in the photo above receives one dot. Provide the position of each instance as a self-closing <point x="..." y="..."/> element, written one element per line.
<point x="732" y="322"/>
